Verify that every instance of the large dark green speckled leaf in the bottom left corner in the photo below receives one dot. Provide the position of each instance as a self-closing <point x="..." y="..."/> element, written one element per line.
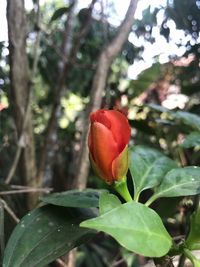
<point x="45" y="234"/>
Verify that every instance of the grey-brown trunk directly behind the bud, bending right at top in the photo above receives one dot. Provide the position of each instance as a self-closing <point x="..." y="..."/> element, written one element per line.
<point x="109" y="53"/>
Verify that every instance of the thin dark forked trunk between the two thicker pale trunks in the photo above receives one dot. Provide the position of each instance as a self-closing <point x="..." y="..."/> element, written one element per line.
<point x="67" y="60"/>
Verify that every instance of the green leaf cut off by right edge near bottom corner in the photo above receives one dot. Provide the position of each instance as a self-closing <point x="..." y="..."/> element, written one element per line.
<point x="193" y="239"/>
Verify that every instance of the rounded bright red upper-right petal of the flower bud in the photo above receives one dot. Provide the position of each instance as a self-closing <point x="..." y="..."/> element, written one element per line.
<point x="120" y="127"/>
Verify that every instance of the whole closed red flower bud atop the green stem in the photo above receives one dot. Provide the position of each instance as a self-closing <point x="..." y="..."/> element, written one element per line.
<point x="108" y="139"/>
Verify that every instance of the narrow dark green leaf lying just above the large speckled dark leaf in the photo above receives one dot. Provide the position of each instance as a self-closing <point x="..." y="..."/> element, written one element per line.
<point x="74" y="198"/>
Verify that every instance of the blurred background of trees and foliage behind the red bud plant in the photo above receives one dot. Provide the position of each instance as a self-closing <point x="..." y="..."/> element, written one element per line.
<point x="62" y="63"/>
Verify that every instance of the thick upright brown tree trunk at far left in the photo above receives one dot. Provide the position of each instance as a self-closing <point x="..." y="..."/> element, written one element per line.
<point x="20" y="91"/>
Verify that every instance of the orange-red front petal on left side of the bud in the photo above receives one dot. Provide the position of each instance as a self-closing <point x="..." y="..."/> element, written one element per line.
<point x="104" y="148"/>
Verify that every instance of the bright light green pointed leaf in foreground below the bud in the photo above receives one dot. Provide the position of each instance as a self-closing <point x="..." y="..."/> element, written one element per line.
<point x="136" y="227"/>
